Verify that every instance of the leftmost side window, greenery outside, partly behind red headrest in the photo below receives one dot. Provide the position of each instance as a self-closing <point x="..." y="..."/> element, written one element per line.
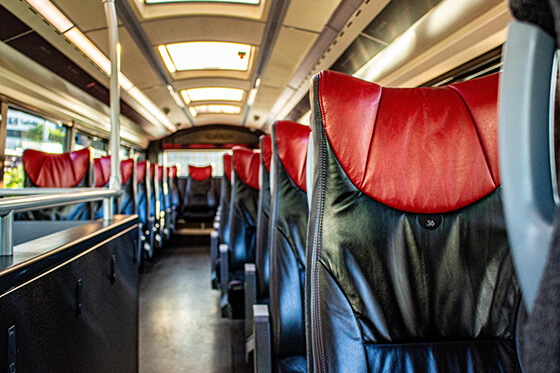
<point x="28" y="131"/>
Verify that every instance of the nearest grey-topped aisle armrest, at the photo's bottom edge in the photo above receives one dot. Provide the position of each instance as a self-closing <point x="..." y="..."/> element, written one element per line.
<point x="261" y="332"/>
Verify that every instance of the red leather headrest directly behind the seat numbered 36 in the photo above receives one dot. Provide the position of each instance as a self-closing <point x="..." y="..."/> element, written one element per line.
<point x="291" y="141"/>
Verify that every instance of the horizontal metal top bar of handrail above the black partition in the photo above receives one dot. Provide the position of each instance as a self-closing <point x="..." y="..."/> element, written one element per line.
<point x="34" y="202"/>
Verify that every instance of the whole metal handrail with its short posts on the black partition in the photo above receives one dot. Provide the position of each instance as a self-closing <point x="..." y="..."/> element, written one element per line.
<point x="45" y="198"/>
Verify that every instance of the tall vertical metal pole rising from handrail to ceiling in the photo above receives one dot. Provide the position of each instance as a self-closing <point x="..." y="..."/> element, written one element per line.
<point x="114" y="55"/>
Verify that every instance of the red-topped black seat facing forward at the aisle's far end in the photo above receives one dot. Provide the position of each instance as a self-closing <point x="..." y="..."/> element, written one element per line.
<point x="200" y="194"/>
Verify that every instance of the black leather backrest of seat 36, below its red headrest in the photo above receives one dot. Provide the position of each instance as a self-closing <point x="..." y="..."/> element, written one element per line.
<point x="396" y="291"/>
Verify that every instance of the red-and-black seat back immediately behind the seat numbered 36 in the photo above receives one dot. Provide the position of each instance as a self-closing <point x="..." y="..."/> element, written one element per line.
<point x="288" y="229"/>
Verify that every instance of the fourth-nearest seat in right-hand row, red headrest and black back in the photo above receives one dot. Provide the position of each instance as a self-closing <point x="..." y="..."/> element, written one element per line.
<point x="243" y="223"/>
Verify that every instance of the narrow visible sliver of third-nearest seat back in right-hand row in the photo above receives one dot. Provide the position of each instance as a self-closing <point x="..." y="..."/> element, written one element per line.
<point x="262" y="249"/>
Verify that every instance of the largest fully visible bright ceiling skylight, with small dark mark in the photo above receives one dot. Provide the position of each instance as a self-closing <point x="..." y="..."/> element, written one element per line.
<point x="206" y="55"/>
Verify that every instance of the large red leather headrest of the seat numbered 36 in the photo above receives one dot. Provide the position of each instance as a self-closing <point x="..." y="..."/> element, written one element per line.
<point x="379" y="154"/>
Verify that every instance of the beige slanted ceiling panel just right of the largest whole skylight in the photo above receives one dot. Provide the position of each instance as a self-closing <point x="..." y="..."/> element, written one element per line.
<point x="290" y="49"/>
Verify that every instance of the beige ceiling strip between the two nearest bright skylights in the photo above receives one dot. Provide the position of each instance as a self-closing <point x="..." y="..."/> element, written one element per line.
<point x="203" y="28"/>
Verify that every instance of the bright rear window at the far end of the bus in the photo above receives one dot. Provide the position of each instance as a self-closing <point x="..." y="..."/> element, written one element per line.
<point x="196" y="158"/>
